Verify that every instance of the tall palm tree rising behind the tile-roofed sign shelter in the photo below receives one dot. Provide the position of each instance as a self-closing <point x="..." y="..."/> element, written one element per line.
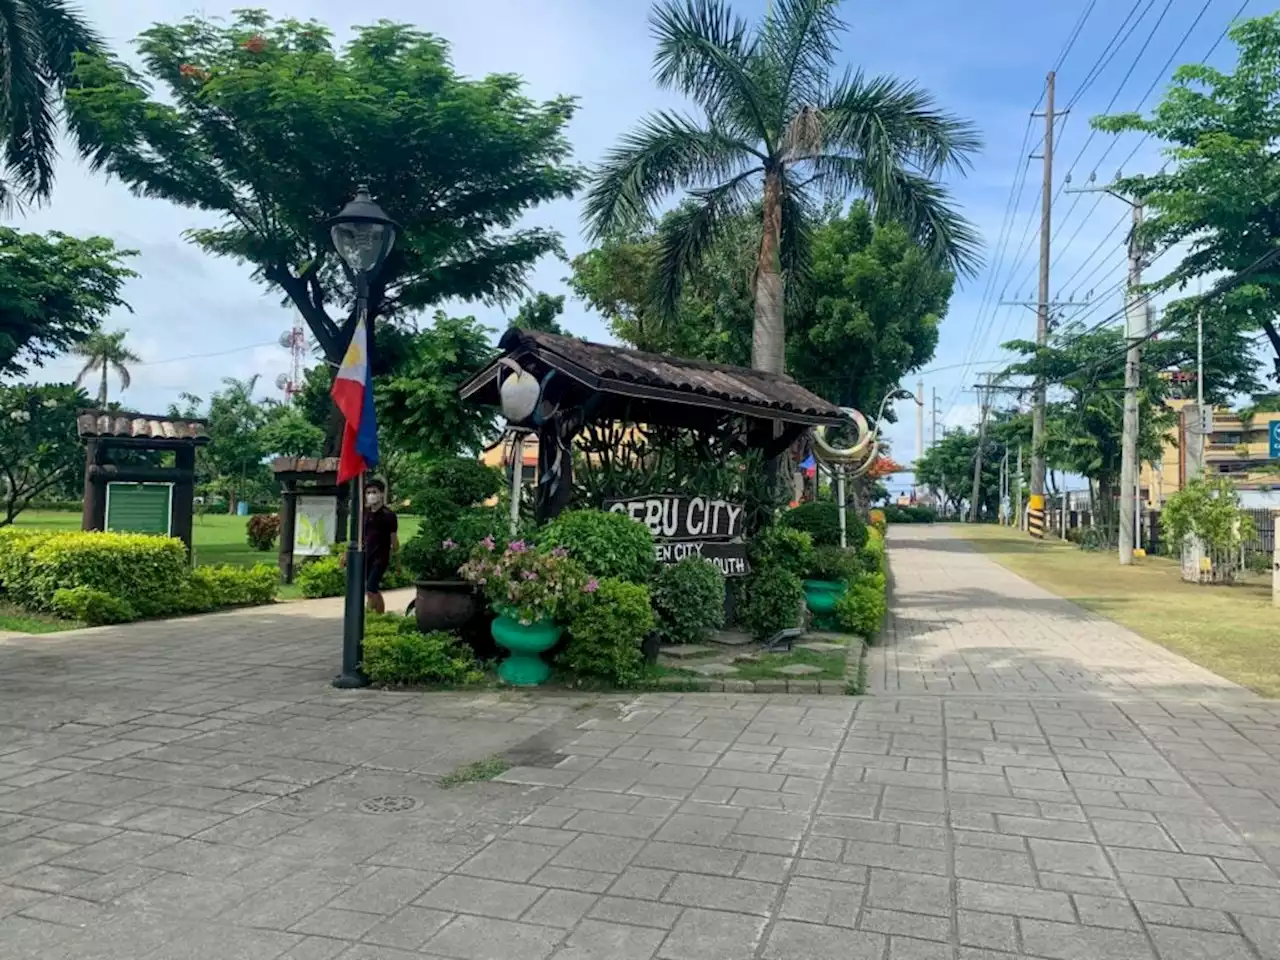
<point x="779" y="132"/>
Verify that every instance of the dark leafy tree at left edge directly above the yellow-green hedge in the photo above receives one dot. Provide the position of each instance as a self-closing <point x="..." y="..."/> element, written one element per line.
<point x="39" y="446"/>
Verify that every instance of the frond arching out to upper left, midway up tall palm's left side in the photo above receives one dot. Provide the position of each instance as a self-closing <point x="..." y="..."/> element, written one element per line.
<point x="668" y="152"/>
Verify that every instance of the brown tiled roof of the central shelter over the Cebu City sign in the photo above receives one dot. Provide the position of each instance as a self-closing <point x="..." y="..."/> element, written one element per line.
<point x="659" y="378"/>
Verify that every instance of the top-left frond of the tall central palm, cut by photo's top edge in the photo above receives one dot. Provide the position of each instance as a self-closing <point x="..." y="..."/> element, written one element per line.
<point x="707" y="53"/>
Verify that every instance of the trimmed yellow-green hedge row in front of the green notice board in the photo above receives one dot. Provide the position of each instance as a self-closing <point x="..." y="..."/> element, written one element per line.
<point x="104" y="578"/>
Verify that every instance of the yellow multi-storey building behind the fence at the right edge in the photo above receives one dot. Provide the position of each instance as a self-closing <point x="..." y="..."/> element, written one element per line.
<point x="1236" y="449"/>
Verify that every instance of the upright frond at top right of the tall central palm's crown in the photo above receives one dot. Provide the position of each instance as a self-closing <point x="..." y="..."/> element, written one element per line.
<point x="801" y="48"/>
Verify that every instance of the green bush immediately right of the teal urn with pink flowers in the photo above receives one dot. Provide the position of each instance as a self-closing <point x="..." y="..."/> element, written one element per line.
<point x="606" y="636"/>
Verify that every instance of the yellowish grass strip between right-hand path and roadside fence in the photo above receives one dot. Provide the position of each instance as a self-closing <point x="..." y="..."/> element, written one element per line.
<point x="1232" y="630"/>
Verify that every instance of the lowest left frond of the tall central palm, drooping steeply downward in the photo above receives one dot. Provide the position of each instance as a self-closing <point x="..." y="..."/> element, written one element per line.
<point x="689" y="232"/>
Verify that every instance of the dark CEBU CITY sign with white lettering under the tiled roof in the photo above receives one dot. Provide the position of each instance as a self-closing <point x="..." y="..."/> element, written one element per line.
<point x="691" y="527"/>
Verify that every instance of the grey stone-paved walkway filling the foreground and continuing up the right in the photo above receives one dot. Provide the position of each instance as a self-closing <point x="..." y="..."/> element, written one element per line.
<point x="196" y="792"/>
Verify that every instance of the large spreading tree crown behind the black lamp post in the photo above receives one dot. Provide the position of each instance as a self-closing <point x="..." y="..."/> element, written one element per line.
<point x="268" y="126"/>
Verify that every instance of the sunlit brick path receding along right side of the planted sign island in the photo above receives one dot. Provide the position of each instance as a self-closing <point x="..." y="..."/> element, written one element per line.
<point x="961" y="623"/>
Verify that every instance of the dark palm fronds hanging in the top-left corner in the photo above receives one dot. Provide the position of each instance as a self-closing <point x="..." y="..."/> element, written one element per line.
<point x="39" y="42"/>
